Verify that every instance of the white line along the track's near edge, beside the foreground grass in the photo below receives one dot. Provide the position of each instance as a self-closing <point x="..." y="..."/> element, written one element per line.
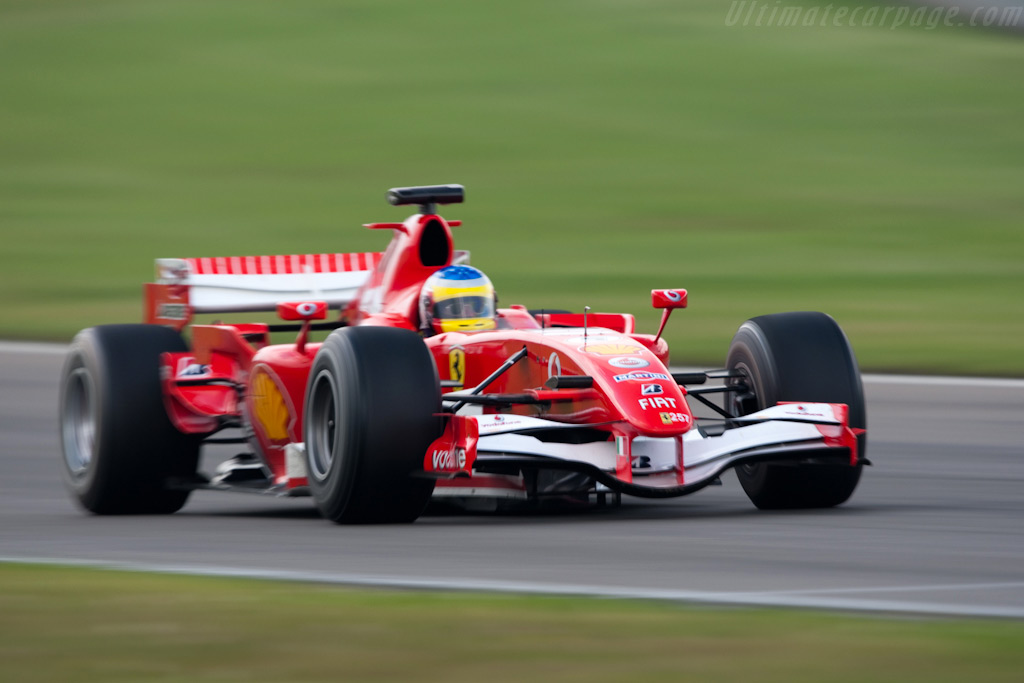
<point x="766" y="600"/>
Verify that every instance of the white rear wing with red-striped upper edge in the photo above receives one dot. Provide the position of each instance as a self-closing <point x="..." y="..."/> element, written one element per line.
<point x="247" y="284"/>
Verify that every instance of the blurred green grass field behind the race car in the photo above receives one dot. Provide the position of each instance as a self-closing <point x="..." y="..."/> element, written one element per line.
<point x="608" y="148"/>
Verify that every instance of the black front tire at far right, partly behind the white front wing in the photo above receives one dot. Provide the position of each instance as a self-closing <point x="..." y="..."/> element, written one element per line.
<point x="797" y="357"/>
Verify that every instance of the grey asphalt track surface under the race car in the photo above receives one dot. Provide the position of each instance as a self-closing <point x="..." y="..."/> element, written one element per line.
<point x="935" y="527"/>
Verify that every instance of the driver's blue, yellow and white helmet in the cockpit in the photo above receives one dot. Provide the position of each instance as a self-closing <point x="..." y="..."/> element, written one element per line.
<point x="458" y="298"/>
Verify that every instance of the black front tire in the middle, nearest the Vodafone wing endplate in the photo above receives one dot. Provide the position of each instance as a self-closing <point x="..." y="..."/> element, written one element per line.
<point x="372" y="405"/>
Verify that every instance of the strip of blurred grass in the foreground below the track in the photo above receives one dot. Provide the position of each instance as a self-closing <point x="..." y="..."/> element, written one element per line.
<point x="80" y="626"/>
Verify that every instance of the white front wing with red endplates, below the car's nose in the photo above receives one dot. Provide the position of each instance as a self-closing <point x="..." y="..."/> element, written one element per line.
<point x="476" y="446"/>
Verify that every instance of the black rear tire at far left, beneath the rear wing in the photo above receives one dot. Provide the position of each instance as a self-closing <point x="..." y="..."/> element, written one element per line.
<point x="118" y="444"/>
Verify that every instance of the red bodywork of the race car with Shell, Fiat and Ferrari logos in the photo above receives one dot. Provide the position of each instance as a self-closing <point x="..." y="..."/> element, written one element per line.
<point x="234" y="376"/>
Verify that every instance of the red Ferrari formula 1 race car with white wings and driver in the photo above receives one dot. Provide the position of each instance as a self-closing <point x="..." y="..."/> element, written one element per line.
<point x="424" y="390"/>
